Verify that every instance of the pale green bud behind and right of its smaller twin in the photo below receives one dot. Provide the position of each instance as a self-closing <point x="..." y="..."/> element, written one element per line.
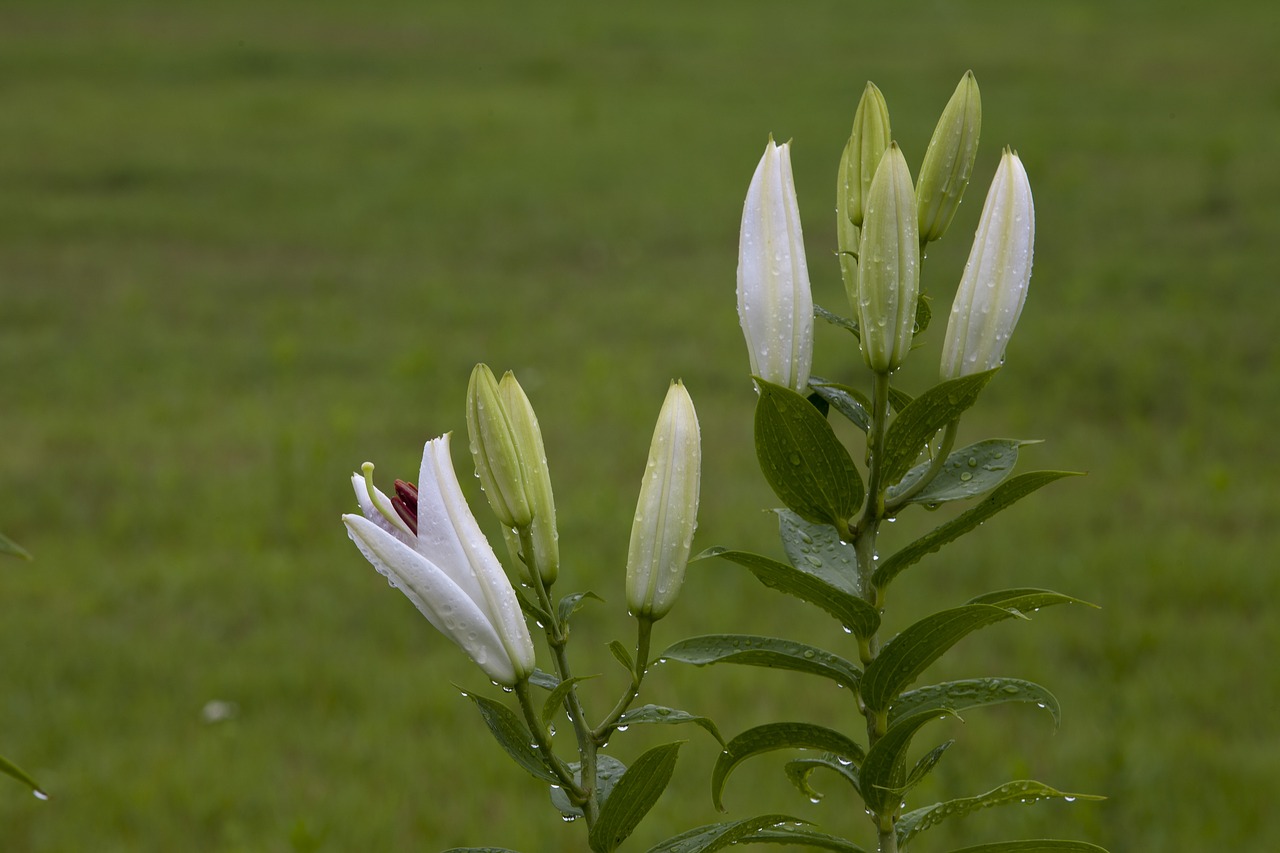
<point x="538" y="482"/>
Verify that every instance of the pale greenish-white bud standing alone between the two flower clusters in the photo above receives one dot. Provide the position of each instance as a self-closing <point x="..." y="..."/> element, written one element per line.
<point x="668" y="512"/>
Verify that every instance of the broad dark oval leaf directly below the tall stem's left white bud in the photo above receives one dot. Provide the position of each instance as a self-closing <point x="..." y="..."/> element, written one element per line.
<point x="802" y="459"/>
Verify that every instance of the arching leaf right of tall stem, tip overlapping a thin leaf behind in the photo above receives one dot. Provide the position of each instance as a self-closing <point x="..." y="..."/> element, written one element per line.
<point x="904" y="658"/>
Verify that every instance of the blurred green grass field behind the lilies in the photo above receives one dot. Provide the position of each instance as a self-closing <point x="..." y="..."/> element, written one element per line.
<point x="246" y="247"/>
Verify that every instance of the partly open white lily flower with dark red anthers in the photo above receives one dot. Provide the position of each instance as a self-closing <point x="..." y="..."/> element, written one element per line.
<point x="428" y="545"/>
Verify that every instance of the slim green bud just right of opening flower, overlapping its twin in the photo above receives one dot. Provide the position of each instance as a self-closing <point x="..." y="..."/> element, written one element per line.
<point x="493" y="448"/>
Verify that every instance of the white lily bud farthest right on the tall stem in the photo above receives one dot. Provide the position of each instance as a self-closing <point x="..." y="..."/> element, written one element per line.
<point x="994" y="286"/>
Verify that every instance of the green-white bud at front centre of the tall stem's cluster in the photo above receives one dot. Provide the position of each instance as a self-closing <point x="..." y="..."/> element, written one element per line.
<point x="889" y="268"/>
